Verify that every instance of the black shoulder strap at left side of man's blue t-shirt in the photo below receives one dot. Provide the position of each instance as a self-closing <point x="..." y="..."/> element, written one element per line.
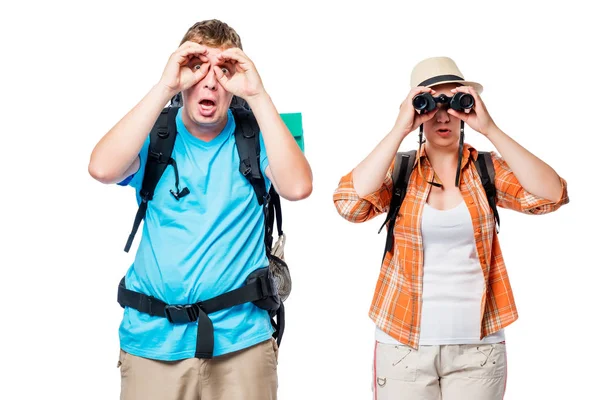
<point x="162" y="140"/>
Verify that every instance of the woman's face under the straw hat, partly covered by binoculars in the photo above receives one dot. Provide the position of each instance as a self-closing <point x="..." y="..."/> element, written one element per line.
<point x="443" y="129"/>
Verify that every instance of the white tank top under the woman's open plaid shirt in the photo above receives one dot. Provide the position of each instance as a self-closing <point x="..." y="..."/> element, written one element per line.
<point x="452" y="281"/>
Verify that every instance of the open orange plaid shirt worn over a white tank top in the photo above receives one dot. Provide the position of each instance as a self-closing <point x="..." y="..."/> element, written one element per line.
<point x="396" y="305"/>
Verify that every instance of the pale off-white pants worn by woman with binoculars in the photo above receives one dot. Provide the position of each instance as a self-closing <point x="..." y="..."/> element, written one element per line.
<point x="451" y="372"/>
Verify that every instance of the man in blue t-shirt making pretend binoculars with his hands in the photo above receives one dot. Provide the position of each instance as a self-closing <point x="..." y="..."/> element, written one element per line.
<point x="204" y="243"/>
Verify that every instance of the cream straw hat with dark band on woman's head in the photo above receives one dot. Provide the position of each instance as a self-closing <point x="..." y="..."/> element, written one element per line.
<point x="438" y="70"/>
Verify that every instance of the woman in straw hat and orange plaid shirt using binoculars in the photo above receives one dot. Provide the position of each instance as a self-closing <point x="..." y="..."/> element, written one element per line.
<point x="443" y="297"/>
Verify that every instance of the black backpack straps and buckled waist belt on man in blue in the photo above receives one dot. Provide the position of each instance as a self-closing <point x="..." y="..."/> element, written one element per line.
<point x="266" y="287"/>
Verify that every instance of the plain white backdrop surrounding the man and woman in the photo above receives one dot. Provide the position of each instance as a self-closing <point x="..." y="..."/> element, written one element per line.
<point x="70" y="71"/>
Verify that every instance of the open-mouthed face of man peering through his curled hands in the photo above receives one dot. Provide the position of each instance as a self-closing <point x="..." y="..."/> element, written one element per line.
<point x="207" y="102"/>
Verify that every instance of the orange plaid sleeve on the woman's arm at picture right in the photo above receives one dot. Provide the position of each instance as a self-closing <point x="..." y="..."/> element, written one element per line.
<point x="510" y="194"/>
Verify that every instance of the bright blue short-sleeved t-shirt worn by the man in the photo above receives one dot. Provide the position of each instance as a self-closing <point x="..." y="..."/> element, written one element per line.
<point x="196" y="248"/>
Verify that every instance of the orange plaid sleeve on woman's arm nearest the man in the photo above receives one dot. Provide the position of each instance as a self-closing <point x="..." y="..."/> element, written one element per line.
<point x="360" y="209"/>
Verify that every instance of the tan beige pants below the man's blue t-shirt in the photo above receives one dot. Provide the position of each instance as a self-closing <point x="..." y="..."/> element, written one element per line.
<point x="249" y="374"/>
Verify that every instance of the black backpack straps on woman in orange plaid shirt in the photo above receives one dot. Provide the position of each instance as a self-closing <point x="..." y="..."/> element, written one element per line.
<point x="403" y="168"/>
